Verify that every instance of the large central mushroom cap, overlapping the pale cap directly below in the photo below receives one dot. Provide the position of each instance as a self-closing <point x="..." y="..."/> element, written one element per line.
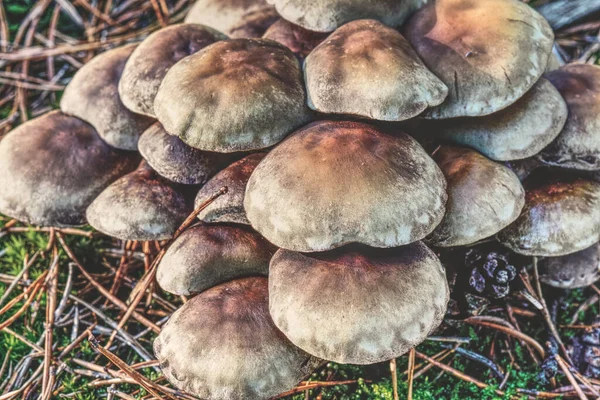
<point x="339" y="182"/>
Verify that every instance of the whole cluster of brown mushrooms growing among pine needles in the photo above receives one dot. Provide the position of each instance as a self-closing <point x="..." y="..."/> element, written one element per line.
<point x="354" y="138"/>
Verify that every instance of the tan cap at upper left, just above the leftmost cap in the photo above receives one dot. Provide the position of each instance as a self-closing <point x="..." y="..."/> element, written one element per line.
<point x="93" y="96"/>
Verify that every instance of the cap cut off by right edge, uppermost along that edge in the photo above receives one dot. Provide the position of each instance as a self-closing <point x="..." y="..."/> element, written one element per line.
<point x="578" y="145"/>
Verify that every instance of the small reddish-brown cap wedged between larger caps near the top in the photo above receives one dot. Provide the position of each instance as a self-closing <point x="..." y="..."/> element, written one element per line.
<point x="301" y="41"/>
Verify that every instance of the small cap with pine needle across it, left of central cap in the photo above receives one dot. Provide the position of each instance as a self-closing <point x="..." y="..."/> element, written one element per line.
<point x="230" y="206"/>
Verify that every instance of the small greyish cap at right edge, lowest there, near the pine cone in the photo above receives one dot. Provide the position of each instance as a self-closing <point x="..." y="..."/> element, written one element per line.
<point x="572" y="271"/>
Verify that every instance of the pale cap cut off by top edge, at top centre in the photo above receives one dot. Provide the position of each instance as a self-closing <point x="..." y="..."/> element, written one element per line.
<point x="328" y="15"/>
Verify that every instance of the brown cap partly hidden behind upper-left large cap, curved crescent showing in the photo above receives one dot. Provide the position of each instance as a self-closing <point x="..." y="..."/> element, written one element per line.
<point x="150" y="61"/>
